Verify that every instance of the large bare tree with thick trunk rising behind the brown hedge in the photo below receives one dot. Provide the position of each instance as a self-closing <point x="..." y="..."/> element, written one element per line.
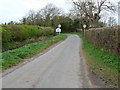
<point x="93" y="8"/>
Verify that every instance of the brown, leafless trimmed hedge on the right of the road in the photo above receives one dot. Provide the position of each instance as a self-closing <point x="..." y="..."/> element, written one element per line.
<point x="107" y="37"/>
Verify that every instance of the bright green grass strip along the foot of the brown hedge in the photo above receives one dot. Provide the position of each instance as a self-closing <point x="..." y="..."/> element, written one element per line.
<point x="100" y="55"/>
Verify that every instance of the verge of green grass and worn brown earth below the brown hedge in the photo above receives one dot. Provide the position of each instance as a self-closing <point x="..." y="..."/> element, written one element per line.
<point x="101" y="63"/>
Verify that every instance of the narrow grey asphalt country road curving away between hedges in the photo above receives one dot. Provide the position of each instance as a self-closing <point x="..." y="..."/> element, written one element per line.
<point x="60" y="67"/>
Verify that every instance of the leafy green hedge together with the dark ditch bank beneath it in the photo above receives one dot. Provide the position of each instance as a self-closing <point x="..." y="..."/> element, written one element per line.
<point x="14" y="36"/>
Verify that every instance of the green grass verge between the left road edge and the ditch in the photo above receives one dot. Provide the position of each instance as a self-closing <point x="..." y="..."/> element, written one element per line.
<point x="13" y="57"/>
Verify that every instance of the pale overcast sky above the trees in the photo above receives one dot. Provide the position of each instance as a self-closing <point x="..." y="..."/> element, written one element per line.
<point x="14" y="10"/>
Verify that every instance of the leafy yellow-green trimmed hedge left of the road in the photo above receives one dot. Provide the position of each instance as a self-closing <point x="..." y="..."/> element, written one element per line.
<point x="22" y="32"/>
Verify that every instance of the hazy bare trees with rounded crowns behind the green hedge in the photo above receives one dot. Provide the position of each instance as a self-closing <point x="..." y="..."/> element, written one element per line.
<point x="43" y="17"/>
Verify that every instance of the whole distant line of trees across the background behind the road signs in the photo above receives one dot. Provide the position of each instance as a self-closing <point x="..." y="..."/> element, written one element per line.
<point x="51" y="16"/>
